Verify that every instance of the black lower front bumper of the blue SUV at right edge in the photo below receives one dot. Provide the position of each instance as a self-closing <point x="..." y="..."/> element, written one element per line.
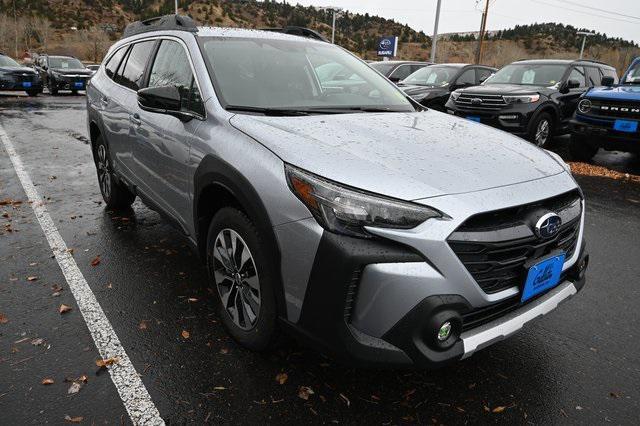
<point x="599" y="132"/>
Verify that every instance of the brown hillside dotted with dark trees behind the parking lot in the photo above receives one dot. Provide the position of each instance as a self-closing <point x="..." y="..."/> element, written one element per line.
<point x="86" y="28"/>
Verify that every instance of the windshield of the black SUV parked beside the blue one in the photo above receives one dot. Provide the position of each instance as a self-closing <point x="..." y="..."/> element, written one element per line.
<point x="529" y="74"/>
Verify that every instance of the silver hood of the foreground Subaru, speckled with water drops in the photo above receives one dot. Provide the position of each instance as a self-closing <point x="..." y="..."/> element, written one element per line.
<point x="403" y="155"/>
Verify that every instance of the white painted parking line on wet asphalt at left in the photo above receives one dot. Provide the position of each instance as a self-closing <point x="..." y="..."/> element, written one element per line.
<point x="133" y="393"/>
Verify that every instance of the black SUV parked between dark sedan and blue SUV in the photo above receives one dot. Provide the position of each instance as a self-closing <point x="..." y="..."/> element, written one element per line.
<point x="534" y="99"/>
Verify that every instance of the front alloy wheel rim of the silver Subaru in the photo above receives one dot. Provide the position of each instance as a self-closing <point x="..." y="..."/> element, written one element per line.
<point x="236" y="279"/>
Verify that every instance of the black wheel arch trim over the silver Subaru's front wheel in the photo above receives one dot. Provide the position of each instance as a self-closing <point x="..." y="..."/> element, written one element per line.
<point x="214" y="171"/>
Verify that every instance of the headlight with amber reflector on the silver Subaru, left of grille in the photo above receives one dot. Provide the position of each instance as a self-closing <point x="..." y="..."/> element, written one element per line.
<point x="347" y="211"/>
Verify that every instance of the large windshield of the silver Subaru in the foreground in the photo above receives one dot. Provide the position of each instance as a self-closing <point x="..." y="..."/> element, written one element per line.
<point x="296" y="75"/>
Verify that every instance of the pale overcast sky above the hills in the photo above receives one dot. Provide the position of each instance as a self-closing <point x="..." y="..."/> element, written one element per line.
<point x="464" y="15"/>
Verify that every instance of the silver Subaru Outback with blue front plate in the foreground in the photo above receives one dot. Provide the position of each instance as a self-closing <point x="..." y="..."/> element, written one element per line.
<point x="326" y="203"/>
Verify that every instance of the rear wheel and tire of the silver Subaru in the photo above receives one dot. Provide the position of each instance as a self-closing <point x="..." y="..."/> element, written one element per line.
<point x="115" y="195"/>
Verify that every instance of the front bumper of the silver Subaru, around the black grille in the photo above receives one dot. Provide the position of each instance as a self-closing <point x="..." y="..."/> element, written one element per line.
<point x="379" y="302"/>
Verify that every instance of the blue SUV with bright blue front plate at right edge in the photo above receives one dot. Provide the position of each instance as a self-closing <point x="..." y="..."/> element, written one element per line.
<point x="608" y="117"/>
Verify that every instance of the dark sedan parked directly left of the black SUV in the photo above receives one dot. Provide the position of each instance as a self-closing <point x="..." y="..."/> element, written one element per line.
<point x="432" y="85"/>
